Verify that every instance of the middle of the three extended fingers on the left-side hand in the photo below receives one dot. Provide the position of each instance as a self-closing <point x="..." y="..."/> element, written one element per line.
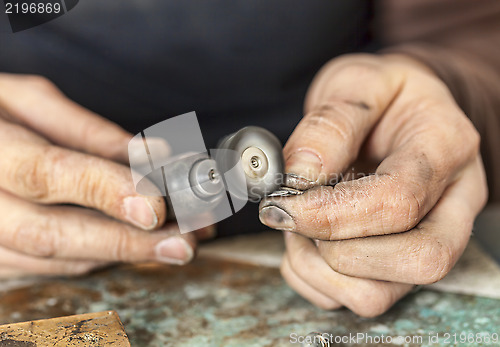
<point x="49" y="174"/>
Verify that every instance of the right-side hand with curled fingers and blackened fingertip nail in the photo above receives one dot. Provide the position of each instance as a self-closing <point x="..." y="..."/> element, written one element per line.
<point x="406" y="224"/>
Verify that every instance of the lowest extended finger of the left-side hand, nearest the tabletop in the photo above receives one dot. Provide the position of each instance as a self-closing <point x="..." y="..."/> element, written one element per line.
<point x="76" y="233"/>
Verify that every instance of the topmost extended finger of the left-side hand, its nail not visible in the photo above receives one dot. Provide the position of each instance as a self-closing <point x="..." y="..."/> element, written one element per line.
<point x="36" y="103"/>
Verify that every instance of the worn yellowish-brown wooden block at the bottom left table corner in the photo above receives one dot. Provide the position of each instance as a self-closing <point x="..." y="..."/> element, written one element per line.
<point x="91" y="329"/>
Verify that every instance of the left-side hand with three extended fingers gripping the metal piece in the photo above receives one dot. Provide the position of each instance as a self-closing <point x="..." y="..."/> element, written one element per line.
<point x="54" y="152"/>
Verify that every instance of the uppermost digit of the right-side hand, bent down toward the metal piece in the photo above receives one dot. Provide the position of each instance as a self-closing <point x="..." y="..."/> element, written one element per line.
<point x="339" y="116"/>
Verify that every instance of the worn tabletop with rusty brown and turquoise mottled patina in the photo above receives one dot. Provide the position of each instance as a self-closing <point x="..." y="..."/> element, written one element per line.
<point x="219" y="303"/>
